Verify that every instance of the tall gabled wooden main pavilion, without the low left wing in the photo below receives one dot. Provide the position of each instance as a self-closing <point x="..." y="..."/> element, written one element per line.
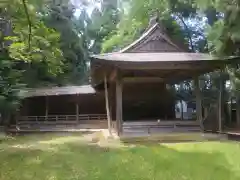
<point x="138" y="77"/>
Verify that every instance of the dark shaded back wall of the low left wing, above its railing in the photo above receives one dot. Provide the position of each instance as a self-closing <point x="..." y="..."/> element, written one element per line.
<point x="64" y="105"/>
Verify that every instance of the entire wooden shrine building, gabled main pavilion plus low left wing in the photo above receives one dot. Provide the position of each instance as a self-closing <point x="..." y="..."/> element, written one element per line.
<point x="131" y="85"/>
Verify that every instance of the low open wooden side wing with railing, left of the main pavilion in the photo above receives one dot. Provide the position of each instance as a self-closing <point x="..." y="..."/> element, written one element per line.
<point x="61" y="108"/>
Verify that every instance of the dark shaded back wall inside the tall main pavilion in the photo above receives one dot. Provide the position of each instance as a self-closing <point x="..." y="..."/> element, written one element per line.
<point x="144" y="101"/>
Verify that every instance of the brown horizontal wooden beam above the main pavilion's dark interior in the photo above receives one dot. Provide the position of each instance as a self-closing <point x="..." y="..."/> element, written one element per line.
<point x="142" y="79"/>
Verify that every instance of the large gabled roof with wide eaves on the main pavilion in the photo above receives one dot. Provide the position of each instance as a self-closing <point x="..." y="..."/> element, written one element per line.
<point x="155" y="51"/>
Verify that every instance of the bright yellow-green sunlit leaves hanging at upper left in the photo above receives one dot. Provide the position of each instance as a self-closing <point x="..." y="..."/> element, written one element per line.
<point x="44" y="45"/>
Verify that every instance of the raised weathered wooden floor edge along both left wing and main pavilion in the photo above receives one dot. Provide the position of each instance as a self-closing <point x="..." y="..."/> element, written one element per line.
<point x="135" y="128"/>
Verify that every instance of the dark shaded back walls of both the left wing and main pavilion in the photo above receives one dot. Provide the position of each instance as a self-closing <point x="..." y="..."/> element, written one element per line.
<point x="141" y="101"/>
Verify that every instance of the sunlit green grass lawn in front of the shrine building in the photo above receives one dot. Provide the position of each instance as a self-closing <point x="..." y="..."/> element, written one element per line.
<point x="58" y="157"/>
